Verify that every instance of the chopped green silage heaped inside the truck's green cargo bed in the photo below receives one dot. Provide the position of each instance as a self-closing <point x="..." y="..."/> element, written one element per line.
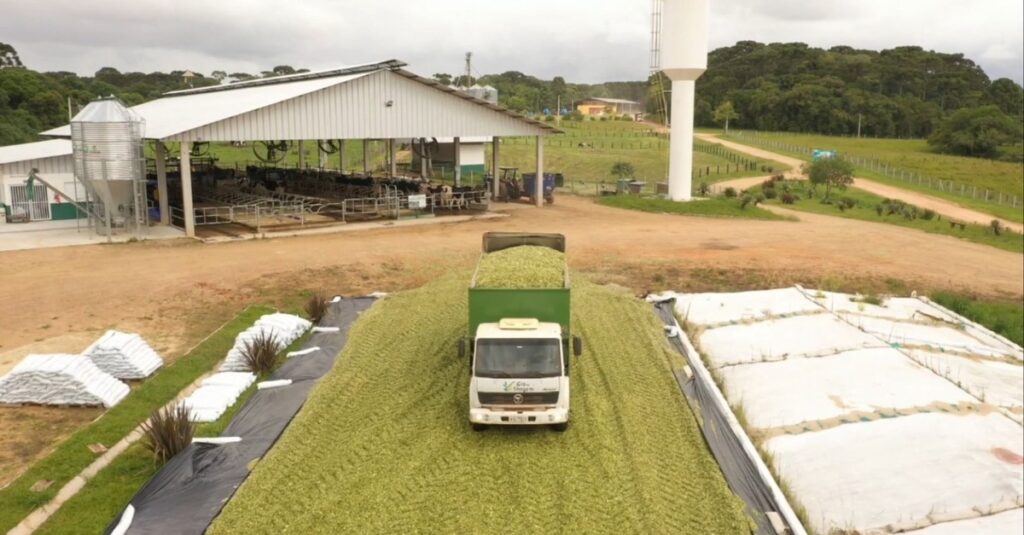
<point x="523" y="267"/>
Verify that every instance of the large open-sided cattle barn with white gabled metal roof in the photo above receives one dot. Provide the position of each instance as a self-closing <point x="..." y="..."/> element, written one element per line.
<point x="374" y="104"/>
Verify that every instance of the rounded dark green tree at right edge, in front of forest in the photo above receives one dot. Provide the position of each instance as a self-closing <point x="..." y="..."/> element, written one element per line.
<point x="976" y="132"/>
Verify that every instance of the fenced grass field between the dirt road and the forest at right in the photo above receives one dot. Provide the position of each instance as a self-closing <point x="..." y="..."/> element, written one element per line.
<point x="913" y="156"/>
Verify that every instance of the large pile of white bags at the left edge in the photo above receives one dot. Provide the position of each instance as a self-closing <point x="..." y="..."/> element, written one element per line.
<point x="61" y="380"/>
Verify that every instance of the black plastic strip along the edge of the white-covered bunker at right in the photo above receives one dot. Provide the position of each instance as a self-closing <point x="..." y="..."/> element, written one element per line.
<point x="739" y="470"/>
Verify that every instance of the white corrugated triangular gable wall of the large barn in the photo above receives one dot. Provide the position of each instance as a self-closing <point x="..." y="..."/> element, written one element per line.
<point x="359" y="110"/>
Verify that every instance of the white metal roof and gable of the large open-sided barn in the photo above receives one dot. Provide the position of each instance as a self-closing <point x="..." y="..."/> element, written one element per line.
<point x="328" y="105"/>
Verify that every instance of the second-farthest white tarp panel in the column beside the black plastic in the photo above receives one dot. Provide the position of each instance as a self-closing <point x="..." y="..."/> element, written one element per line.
<point x="785" y="339"/>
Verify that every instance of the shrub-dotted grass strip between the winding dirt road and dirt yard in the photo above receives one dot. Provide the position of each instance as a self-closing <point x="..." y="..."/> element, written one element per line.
<point x="866" y="211"/>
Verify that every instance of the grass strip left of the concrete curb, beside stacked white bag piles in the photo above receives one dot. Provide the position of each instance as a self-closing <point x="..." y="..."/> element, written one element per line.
<point x="73" y="457"/>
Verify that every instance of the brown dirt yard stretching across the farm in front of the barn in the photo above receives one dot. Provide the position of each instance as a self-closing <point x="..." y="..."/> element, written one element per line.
<point x="176" y="293"/>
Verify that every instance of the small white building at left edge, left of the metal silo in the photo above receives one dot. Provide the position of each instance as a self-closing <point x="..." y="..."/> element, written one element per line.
<point x="53" y="159"/>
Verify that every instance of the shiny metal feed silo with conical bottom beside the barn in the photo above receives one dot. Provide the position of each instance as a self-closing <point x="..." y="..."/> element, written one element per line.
<point x="107" y="142"/>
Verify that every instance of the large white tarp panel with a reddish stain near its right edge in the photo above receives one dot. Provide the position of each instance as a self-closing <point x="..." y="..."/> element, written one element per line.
<point x="904" y="471"/>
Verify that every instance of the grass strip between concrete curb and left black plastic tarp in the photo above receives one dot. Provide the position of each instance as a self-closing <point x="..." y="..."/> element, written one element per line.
<point x="106" y="497"/>
